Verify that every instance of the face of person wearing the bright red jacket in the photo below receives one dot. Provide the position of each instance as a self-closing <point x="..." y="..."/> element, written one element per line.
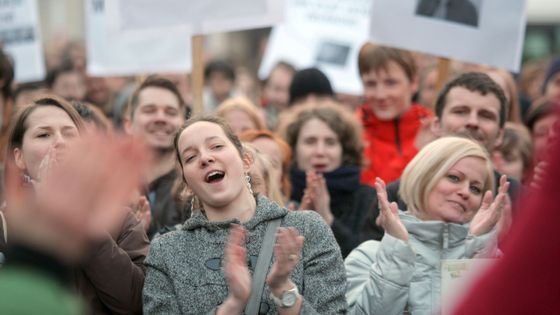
<point x="388" y="91"/>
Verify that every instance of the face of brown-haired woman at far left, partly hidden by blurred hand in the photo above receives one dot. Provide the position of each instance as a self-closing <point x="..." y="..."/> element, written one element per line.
<point x="47" y="127"/>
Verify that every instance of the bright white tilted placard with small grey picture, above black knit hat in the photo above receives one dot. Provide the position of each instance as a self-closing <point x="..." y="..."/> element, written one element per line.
<point x="327" y="34"/>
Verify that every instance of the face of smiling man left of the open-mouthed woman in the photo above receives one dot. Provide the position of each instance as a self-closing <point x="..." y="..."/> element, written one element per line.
<point x="157" y="118"/>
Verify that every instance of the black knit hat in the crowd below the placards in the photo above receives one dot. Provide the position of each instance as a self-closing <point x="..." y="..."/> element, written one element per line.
<point x="309" y="81"/>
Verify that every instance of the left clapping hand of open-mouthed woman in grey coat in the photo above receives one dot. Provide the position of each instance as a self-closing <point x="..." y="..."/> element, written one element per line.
<point x="236" y="272"/>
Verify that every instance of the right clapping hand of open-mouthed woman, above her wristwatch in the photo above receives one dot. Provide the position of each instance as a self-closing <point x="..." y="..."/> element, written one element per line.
<point x="287" y="253"/>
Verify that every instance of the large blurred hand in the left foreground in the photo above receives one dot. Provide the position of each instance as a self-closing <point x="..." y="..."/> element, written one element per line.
<point x="79" y="199"/>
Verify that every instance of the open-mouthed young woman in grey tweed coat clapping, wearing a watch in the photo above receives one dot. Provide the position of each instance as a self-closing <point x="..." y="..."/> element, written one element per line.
<point x="207" y="266"/>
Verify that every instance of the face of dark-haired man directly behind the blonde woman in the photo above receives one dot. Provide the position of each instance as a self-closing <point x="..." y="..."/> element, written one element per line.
<point x="471" y="114"/>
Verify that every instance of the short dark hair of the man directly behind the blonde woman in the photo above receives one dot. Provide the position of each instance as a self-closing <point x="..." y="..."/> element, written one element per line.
<point x="474" y="82"/>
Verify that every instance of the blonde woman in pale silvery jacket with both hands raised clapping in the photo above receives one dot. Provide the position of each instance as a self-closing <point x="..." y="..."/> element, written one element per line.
<point x="452" y="215"/>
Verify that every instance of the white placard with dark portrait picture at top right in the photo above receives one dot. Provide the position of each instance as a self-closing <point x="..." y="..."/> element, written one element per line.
<point x="495" y="38"/>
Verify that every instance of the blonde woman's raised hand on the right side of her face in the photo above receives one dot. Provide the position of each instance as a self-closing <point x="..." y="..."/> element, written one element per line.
<point x="491" y="210"/>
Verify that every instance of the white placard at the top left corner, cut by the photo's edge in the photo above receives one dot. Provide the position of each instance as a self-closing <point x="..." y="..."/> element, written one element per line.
<point x="20" y="36"/>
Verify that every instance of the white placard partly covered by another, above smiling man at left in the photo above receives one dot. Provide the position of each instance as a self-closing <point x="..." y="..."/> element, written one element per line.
<point x="133" y="52"/>
